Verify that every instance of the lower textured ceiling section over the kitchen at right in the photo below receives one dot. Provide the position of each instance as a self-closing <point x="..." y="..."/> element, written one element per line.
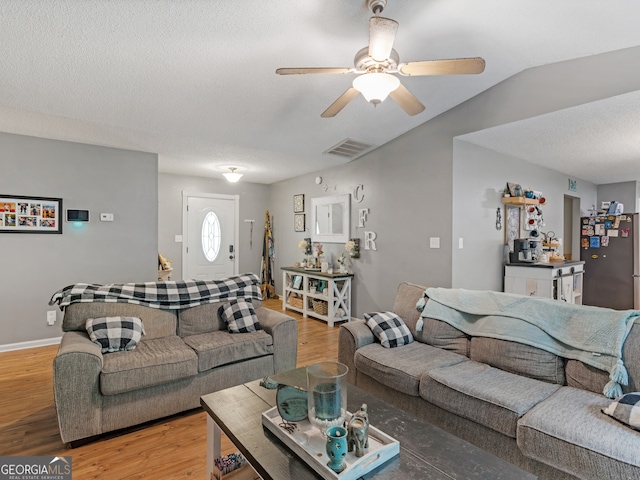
<point x="598" y="142"/>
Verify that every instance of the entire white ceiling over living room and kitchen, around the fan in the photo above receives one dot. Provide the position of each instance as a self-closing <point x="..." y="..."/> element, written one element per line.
<point x="194" y="81"/>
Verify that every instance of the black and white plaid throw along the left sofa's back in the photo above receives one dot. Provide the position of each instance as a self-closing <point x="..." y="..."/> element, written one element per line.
<point x="167" y="295"/>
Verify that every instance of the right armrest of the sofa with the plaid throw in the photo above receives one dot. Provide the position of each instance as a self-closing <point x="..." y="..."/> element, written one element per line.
<point x="284" y="331"/>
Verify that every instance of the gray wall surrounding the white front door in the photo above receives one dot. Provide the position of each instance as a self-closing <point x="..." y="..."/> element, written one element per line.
<point x="254" y="200"/>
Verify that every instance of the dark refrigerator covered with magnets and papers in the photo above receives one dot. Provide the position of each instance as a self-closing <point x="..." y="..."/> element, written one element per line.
<point x="609" y="248"/>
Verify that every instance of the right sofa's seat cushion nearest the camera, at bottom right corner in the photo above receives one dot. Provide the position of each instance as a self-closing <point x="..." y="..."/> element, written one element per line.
<point x="569" y="431"/>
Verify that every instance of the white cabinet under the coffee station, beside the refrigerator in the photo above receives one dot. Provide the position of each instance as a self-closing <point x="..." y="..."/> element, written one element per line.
<point x="561" y="281"/>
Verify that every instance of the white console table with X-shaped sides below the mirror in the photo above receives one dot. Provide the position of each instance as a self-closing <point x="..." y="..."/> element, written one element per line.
<point x="301" y="287"/>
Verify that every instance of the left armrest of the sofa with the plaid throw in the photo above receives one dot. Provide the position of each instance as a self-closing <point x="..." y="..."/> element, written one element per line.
<point x="76" y="386"/>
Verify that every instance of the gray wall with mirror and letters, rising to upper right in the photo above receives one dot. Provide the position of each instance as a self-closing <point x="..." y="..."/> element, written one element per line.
<point x="409" y="184"/>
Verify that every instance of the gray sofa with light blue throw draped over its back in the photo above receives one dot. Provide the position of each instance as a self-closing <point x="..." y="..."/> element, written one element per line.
<point x="528" y="406"/>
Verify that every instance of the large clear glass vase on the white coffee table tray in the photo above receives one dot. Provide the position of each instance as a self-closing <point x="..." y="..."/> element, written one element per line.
<point x="327" y="387"/>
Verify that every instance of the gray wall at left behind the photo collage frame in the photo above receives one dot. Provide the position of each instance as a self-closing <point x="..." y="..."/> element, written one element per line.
<point x="86" y="177"/>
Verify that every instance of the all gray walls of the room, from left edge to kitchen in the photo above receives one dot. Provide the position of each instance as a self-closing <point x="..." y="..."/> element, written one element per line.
<point x="408" y="187"/>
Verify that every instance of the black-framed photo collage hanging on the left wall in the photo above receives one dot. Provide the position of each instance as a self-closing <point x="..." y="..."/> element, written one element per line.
<point x="26" y="214"/>
